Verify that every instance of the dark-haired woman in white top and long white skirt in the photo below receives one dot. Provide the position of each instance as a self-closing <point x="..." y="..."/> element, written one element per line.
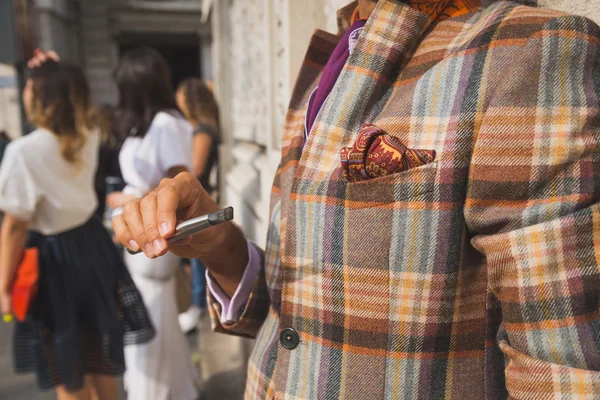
<point x="158" y="146"/>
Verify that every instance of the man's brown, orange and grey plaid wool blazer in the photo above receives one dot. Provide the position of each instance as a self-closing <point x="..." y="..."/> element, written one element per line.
<point x="475" y="276"/>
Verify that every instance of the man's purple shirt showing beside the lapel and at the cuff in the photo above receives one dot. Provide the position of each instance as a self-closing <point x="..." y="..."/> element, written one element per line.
<point x="233" y="308"/>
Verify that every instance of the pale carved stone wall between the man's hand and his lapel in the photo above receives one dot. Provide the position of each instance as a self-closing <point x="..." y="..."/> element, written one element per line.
<point x="258" y="48"/>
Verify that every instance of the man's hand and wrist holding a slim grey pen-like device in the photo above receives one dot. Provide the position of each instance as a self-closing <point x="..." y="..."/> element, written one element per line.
<point x="146" y="224"/>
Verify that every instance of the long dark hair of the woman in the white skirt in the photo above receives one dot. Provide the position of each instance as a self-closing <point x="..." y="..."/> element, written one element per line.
<point x="144" y="83"/>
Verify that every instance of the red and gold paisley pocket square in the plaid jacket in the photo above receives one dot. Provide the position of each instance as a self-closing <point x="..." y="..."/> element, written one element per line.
<point x="376" y="154"/>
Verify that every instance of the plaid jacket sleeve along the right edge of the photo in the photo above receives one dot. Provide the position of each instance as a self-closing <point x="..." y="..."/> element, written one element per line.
<point x="533" y="209"/>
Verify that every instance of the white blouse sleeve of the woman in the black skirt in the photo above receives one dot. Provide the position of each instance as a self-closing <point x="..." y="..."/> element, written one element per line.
<point x="19" y="194"/>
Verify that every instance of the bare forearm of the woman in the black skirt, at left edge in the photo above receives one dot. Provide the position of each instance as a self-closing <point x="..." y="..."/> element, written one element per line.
<point x="13" y="236"/>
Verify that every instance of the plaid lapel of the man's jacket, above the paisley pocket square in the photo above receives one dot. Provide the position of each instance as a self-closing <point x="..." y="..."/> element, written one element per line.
<point x="386" y="44"/>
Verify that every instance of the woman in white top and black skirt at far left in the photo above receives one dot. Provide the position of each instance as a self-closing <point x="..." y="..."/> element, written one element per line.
<point x="87" y="307"/>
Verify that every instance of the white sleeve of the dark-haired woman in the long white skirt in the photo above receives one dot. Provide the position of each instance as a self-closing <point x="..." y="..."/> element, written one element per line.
<point x="174" y="147"/>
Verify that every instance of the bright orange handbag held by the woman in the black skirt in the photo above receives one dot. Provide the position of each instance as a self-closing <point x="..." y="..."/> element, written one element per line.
<point x="25" y="287"/>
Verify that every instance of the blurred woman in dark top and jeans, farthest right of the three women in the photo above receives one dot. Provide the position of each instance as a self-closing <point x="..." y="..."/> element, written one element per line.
<point x="198" y="104"/>
